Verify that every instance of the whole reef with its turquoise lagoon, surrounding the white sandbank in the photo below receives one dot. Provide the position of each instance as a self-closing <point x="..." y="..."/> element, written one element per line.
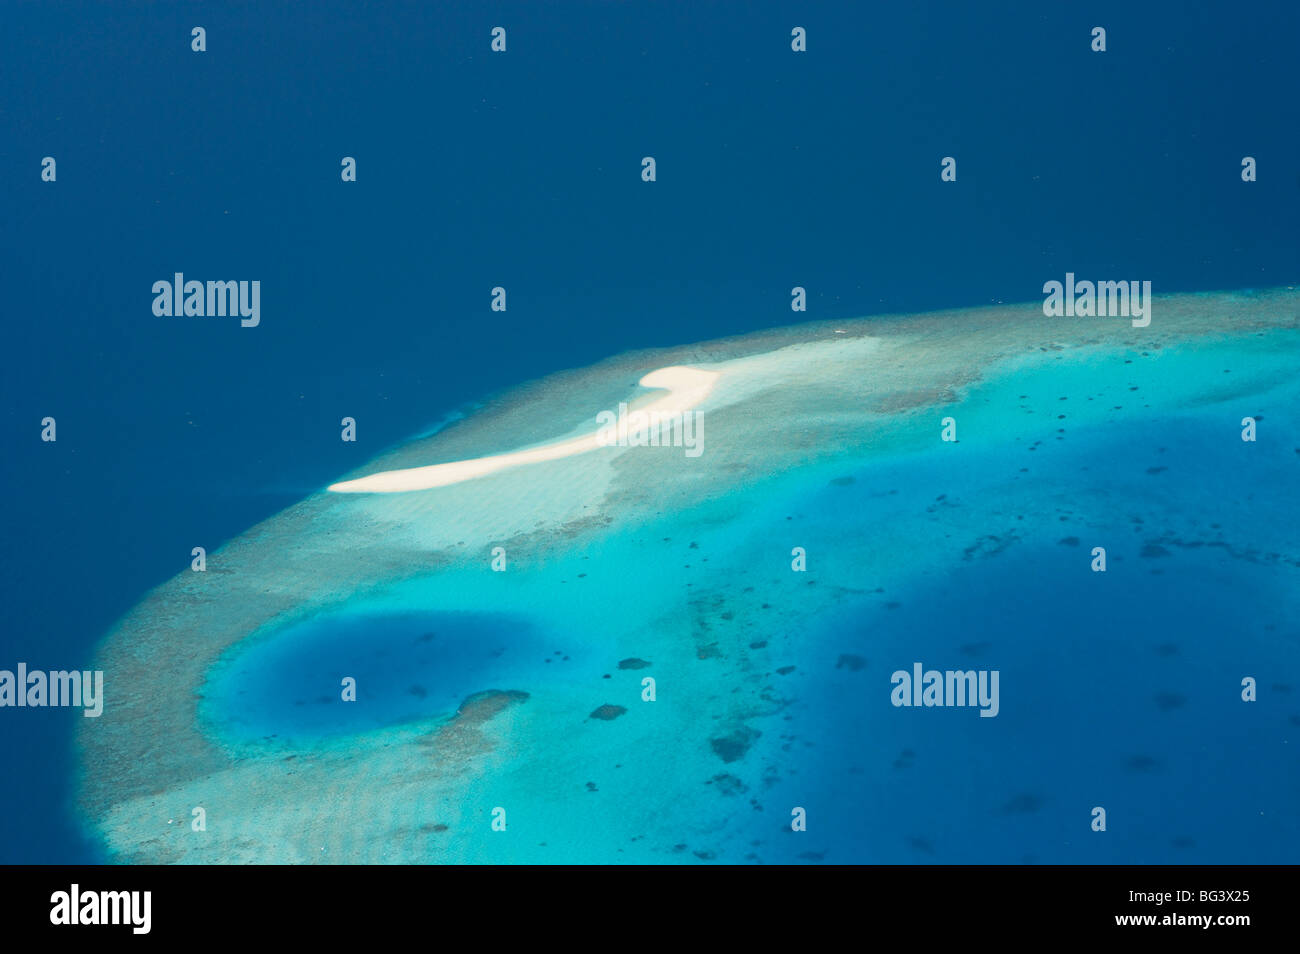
<point x="1119" y="690"/>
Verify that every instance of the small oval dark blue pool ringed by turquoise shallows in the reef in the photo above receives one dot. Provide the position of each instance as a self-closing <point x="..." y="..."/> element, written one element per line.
<point x="408" y="667"/>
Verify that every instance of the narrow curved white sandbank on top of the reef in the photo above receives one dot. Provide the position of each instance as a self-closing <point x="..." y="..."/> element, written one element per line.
<point x="687" y="389"/>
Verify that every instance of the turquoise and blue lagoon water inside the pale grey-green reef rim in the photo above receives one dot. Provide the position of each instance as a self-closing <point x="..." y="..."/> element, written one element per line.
<point x="773" y="687"/>
